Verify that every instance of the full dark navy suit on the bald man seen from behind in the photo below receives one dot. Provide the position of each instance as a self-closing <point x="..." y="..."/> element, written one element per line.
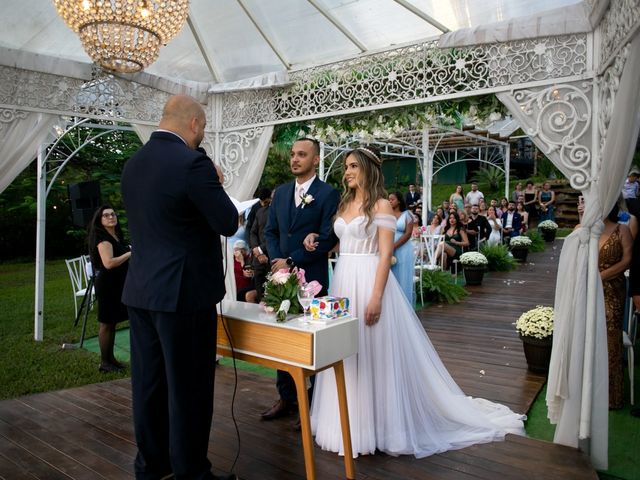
<point x="177" y="210"/>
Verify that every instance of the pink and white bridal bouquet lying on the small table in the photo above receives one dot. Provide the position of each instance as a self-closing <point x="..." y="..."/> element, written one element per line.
<point x="281" y="292"/>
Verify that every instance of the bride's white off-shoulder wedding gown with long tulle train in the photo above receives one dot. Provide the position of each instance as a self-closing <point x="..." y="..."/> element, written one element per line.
<point x="401" y="398"/>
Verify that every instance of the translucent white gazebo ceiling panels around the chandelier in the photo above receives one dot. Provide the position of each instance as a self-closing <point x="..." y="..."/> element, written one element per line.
<point x="230" y="40"/>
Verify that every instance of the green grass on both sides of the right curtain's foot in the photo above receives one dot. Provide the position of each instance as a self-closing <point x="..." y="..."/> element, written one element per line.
<point x="624" y="434"/>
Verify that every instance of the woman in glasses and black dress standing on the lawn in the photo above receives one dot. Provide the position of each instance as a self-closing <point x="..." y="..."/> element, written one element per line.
<point x="110" y="260"/>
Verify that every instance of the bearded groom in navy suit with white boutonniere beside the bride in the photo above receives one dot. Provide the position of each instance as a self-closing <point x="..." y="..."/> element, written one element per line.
<point x="306" y="205"/>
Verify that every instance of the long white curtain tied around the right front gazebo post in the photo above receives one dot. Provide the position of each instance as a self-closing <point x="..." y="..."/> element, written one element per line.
<point x="577" y="391"/>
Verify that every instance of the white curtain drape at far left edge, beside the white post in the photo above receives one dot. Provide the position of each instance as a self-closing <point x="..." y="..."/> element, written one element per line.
<point x="21" y="133"/>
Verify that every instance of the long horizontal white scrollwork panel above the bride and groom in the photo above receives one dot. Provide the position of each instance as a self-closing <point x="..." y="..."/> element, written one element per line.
<point x="412" y="74"/>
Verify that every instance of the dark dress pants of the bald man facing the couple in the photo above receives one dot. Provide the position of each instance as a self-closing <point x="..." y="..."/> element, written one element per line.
<point x="172" y="377"/>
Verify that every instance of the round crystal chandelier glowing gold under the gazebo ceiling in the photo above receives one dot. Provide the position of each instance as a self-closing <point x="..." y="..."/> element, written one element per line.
<point x="124" y="35"/>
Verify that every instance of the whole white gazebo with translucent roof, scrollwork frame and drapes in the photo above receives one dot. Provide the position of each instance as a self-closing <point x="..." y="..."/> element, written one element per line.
<point x="566" y="70"/>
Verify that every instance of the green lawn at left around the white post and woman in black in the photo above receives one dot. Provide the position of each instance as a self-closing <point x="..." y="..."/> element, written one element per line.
<point x="29" y="366"/>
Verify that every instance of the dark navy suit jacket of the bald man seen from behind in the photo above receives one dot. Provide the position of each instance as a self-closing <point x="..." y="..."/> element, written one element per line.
<point x="177" y="210"/>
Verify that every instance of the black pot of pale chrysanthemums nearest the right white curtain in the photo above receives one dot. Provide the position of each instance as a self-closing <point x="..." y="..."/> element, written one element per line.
<point x="535" y="327"/>
